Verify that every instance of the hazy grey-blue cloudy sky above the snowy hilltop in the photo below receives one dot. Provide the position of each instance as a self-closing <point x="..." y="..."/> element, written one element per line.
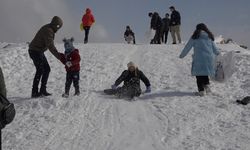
<point x="21" y="19"/>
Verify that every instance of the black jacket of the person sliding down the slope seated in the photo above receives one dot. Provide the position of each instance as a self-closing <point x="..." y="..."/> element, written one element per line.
<point x="126" y="76"/>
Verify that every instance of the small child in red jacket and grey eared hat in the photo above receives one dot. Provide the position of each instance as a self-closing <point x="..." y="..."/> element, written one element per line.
<point x="71" y="60"/>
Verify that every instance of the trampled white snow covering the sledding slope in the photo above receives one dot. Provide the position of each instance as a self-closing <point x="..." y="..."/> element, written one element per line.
<point x="169" y="118"/>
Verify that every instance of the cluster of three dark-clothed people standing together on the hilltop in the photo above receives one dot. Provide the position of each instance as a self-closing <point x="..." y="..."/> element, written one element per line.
<point x="163" y="26"/>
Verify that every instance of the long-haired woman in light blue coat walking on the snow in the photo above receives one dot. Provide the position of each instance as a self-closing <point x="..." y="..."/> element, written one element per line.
<point x="205" y="50"/>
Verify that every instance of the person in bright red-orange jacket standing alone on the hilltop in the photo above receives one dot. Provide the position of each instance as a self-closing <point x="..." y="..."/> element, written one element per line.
<point x="87" y="21"/>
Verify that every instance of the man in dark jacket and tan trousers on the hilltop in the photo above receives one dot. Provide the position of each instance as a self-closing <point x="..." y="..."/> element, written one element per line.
<point x="175" y="23"/>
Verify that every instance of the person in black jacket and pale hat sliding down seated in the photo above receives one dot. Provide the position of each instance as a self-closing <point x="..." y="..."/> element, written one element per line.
<point x="131" y="78"/>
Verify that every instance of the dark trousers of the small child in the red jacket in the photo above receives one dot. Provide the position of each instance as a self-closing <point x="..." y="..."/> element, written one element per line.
<point x="72" y="77"/>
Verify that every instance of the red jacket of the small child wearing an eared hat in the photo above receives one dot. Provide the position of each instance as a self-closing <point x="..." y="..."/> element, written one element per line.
<point x="74" y="58"/>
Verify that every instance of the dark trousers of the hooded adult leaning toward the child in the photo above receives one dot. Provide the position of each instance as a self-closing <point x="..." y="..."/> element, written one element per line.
<point x="42" y="70"/>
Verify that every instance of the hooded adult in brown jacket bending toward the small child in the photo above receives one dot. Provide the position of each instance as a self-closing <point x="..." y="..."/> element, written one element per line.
<point x="43" y="40"/>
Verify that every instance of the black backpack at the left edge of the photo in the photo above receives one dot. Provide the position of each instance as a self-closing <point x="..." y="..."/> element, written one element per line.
<point x="7" y="111"/>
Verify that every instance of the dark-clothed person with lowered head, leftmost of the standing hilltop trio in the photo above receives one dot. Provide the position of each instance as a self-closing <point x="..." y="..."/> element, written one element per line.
<point x="156" y="24"/>
